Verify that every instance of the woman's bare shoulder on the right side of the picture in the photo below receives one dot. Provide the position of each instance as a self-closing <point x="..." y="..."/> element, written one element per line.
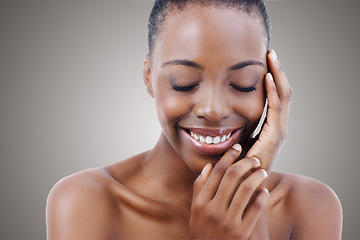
<point x="316" y="206"/>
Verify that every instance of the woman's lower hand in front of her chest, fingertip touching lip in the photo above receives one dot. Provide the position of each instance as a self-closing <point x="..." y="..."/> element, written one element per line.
<point x="226" y="204"/>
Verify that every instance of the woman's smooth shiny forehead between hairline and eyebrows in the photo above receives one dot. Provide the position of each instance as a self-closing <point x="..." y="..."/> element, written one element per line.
<point x="210" y="31"/>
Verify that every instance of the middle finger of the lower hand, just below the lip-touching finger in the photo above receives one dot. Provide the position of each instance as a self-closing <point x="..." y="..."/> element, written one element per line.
<point x="233" y="177"/>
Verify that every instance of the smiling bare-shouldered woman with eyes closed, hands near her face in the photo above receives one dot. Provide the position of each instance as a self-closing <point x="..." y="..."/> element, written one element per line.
<point x="210" y="72"/>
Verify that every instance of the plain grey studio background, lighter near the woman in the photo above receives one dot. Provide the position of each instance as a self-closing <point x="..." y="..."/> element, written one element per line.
<point x="72" y="97"/>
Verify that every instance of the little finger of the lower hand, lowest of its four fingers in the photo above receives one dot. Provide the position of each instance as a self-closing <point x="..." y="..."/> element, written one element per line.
<point x="254" y="211"/>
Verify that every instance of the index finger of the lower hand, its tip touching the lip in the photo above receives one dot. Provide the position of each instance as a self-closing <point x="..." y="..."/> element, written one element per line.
<point x="212" y="184"/>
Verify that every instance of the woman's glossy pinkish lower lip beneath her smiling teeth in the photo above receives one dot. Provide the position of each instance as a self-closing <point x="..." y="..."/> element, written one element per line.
<point x="211" y="149"/>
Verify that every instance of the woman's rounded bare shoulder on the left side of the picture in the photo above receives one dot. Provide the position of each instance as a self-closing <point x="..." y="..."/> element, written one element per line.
<point x="80" y="205"/>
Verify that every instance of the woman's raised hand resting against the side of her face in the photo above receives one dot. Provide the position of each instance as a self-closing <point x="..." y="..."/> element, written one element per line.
<point x="274" y="131"/>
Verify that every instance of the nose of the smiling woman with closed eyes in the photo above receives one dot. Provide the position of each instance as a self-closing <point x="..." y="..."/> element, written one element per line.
<point x="213" y="106"/>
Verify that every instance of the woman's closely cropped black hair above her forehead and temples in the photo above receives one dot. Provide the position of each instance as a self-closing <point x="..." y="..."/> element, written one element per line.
<point x="161" y="9"/>
